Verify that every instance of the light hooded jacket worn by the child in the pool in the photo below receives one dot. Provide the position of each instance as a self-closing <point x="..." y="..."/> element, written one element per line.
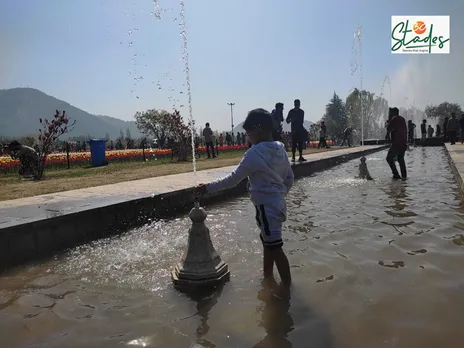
<point x="269" y="173"/>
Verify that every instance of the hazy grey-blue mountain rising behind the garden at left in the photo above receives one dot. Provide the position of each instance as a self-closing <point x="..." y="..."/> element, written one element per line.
<point x="21" y="108"/>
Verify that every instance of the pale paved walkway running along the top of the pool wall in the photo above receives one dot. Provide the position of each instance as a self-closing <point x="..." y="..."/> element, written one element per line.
<point x="30" y="209"/>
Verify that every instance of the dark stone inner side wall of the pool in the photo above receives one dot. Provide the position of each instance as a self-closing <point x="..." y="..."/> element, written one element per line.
<point x="37" y="240"/>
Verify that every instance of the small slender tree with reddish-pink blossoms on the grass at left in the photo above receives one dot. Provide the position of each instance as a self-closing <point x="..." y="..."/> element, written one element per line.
<point x="49" y="134"/>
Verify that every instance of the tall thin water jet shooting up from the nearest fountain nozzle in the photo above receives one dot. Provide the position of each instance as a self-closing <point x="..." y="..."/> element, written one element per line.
<point x="183" y="33"/>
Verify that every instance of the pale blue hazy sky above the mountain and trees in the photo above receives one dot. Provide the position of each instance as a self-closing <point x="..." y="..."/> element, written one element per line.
<point x="114" y="57"/>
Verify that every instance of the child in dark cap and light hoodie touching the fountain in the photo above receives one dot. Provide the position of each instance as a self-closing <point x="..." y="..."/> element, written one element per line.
<point x="270" y="178"/>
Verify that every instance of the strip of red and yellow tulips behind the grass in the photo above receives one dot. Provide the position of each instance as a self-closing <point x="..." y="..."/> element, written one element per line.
<point x="58" y="160"/>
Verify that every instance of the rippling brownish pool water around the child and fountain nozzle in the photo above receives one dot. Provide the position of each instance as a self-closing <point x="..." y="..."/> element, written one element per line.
<point x="375" y="264"/>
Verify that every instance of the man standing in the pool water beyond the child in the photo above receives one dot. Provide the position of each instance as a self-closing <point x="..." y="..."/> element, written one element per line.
<point x="397" y="127"/>
